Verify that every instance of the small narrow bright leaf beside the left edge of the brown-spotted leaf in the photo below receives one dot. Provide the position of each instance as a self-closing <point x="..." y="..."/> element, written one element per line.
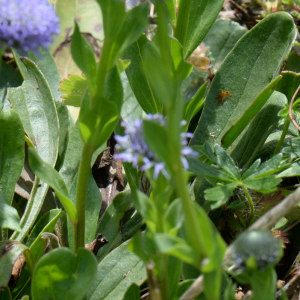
<point x="195" y="104"/>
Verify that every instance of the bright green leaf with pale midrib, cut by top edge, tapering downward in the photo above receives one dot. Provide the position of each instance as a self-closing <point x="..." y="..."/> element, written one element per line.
<point x="194" y="19"/>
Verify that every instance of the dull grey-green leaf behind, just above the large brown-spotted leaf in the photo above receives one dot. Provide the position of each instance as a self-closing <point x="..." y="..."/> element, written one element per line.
<point x="221" y="38"/>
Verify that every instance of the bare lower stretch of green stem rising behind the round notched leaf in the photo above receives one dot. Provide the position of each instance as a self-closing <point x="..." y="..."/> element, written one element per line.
<point x="82" y="182"/>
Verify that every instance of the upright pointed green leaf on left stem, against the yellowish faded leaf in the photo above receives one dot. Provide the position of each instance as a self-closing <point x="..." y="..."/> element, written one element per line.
<point x="84" y="57"/>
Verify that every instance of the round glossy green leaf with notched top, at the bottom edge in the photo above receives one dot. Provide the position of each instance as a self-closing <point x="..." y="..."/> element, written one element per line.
<point x="61" y="273"/>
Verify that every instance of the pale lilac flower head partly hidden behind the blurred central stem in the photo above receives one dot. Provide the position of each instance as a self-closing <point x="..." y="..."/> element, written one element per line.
<point x="137" y="152"/>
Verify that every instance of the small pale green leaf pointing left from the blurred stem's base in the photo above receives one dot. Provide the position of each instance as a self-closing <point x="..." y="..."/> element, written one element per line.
<point x="177" y="247"/>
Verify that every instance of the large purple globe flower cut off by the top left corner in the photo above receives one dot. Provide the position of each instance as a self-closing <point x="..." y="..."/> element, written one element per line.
<point x="27" y="24"/>
